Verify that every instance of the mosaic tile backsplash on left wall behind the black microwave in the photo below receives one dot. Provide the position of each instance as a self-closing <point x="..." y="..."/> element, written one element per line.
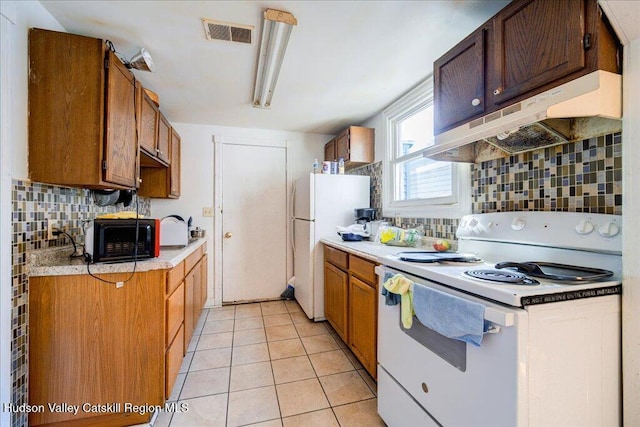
<point x="33" y="205"/>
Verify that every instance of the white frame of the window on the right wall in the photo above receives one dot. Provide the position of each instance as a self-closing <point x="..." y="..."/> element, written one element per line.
<point x="455" y="206"/>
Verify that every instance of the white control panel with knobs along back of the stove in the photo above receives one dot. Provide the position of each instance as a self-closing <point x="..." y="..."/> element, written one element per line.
<point x="574" y="230"/>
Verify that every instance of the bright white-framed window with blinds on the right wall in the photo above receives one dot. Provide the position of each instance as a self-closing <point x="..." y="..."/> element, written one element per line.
<point x="417" y="186"/>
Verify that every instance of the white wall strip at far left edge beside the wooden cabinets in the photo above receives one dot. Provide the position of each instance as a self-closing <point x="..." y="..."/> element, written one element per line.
<point x="17" y="17"/>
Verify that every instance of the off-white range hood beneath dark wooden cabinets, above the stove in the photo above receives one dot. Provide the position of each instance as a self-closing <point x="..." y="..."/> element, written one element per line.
<point x="583" y="108"/>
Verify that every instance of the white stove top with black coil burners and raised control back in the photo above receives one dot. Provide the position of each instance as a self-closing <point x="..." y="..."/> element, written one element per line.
<point x="563" y="244"/>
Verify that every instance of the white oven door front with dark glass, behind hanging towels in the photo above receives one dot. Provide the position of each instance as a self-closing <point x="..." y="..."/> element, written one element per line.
<point x="457" y="384"/>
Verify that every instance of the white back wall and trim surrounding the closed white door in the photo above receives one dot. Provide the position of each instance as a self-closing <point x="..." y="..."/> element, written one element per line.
<point x="197" y="177"/>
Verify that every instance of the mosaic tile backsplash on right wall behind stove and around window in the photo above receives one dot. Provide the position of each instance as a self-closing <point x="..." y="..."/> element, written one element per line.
<point x="584" y="176"/>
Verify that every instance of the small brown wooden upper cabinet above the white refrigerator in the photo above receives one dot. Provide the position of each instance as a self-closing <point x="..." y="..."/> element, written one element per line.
<point x="355" y="145"/>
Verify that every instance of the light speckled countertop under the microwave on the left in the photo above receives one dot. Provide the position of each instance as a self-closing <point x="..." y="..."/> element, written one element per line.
<point x="56" y="261"/>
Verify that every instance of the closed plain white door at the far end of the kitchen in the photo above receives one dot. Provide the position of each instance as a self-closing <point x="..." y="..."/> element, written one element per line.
<point x="254" y="221"/>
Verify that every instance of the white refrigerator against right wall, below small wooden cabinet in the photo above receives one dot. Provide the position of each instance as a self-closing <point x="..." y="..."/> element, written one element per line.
<point x="320" y="203"/>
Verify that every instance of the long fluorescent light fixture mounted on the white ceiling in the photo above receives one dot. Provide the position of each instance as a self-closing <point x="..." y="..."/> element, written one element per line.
<point x="276" y="29"/>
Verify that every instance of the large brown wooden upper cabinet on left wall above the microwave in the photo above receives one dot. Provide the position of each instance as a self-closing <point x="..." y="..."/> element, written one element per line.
<point x="82" y="128"/>
